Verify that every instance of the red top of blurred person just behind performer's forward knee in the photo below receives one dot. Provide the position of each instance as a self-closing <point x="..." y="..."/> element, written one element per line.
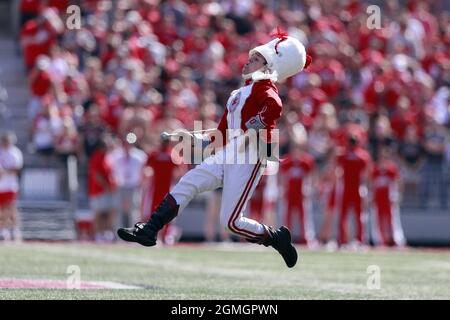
<point x="163" y="168"/>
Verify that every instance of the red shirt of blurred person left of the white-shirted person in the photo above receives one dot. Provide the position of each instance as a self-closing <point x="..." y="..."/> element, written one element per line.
<point x="99" y="164"/>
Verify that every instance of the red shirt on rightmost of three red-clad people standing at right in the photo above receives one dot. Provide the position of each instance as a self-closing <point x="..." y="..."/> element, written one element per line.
<point x="383" y="178"/>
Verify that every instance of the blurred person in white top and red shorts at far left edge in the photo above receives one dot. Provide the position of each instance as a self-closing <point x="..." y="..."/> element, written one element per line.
<point x="11" y="162"/>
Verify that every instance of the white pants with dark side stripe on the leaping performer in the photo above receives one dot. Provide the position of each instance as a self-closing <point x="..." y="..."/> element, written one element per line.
<point x="238" y="180"/>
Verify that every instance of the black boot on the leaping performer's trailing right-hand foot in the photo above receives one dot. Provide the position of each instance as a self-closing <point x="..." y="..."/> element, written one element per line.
<point x="280" y="240"/>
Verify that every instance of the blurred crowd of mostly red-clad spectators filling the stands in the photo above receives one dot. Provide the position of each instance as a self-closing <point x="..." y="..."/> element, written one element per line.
<point x="147" y="66"/>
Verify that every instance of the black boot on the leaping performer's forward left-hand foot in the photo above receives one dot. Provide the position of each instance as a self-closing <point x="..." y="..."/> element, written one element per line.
<point x="146" y="233"/>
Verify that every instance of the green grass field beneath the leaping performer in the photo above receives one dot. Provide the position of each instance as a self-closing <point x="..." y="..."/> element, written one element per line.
<point x="218" y="272"/>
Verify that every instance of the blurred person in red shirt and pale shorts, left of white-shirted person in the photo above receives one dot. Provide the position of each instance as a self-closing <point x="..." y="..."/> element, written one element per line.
<point x="102" y="188"/>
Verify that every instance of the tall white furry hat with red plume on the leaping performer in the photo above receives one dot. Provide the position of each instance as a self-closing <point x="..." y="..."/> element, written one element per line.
<point x="285" y="56"/>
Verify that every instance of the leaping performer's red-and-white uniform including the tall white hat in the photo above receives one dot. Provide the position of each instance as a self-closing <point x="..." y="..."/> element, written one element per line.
<point x="256" y="106"/>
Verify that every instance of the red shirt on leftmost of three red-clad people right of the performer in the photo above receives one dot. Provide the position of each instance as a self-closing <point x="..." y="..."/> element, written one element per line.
<point x="295" y="170"/>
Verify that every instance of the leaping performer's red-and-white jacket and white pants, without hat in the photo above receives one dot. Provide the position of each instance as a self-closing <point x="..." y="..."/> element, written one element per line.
<point x="259" y="101"/>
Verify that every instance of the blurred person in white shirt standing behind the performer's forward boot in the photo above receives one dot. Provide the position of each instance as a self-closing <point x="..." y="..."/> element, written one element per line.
<point x="127" y="165"/>
